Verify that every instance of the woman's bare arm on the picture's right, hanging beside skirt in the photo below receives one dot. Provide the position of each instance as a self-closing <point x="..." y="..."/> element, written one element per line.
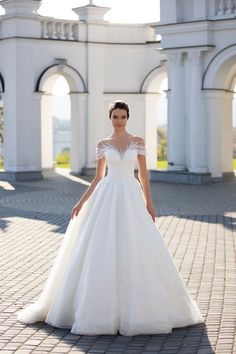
<point x="144" y="180"/>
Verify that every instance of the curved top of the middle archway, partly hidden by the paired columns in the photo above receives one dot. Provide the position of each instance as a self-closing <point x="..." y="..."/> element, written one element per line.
<point x="153" y="80"/>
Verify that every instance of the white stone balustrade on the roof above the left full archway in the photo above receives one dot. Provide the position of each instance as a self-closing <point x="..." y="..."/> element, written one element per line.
<point x="59" y="29"/>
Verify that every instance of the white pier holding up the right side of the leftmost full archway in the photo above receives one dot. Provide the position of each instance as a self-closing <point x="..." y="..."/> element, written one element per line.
<point x="78" y="131"/>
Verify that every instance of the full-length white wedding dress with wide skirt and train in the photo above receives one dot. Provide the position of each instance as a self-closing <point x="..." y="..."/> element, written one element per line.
<point x="113" y="272"/>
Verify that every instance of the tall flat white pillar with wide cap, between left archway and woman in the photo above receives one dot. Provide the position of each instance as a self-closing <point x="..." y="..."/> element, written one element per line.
<point x="93" y="18"/>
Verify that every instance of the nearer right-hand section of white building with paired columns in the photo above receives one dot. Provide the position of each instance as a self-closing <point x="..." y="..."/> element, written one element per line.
<point x="198" y="38"/>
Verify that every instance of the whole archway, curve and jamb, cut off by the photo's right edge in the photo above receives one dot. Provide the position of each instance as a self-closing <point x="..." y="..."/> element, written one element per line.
<point x="218" y="84"/>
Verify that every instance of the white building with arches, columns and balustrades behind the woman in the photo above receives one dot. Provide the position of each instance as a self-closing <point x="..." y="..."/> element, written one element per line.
<point x="102" y="62"/>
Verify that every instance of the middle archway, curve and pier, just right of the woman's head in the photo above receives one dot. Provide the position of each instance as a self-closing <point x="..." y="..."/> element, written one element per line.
<point x="151" y="87"/>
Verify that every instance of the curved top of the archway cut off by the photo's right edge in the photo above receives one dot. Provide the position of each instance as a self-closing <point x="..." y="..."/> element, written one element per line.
<point x="220" y="72"/>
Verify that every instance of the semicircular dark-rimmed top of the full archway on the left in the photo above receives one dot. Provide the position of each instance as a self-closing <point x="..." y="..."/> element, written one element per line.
<point x="72" y="76"/>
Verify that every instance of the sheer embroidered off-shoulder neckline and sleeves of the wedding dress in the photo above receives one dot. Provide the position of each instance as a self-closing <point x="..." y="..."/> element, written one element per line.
<point x="121" y="146"/>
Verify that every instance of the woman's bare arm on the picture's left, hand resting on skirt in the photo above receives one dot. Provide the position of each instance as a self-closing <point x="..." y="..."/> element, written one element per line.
<point x="100" y="173"/>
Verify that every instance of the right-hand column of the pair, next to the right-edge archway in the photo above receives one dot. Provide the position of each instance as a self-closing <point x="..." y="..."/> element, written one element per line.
<point x="197" y="118"/>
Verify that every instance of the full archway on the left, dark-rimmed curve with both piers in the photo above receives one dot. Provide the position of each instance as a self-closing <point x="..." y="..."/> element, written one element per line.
<point x="78" y="96"/>
